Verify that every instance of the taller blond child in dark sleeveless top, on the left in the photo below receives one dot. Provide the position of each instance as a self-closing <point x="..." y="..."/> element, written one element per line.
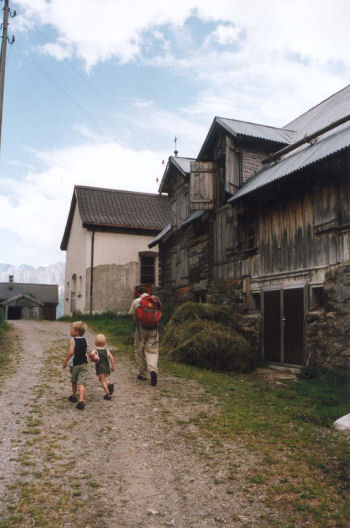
<point x="78" y="364"/>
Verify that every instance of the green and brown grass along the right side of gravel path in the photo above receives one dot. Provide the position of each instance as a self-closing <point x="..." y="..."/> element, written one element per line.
<point x="305" y="465"/>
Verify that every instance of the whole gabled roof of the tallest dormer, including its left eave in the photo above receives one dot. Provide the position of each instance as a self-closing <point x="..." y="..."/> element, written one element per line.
<point x="273" y="135"/>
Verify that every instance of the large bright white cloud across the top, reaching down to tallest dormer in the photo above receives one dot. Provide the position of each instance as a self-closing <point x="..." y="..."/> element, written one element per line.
<point x="280" y="65"/>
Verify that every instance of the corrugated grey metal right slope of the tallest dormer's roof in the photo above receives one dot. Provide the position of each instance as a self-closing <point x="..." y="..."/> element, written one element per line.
<point x="244" y="128"/>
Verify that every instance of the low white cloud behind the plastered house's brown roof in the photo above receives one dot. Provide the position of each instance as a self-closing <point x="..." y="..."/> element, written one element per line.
<point x="37" y="216"/>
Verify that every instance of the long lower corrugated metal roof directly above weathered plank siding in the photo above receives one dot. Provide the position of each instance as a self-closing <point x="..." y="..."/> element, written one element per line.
<point x="330" y="143"/>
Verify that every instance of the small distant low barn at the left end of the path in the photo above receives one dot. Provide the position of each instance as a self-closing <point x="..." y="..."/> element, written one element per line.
<point x="28" y="301"/>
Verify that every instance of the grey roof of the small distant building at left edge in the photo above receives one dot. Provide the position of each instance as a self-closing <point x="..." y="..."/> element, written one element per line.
<point x="46" y="293"/>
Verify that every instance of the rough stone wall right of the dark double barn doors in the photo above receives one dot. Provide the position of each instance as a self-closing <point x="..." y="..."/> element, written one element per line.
<point x="328" y="328"/>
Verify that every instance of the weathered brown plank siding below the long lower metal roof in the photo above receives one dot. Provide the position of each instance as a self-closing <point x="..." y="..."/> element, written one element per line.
<point x="307" y="232"/>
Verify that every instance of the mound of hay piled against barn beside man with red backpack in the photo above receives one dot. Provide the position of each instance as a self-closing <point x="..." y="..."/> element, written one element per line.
<point x="204" y="335"/>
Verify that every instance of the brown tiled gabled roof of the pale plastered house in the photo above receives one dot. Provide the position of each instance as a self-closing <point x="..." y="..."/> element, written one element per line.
<point x="117" y="210"/>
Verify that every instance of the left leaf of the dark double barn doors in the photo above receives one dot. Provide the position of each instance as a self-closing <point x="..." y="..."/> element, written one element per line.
<point x="272" y="325"/>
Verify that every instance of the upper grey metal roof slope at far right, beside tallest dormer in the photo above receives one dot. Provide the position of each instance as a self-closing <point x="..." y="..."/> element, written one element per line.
<point x="326" y="112"/>
